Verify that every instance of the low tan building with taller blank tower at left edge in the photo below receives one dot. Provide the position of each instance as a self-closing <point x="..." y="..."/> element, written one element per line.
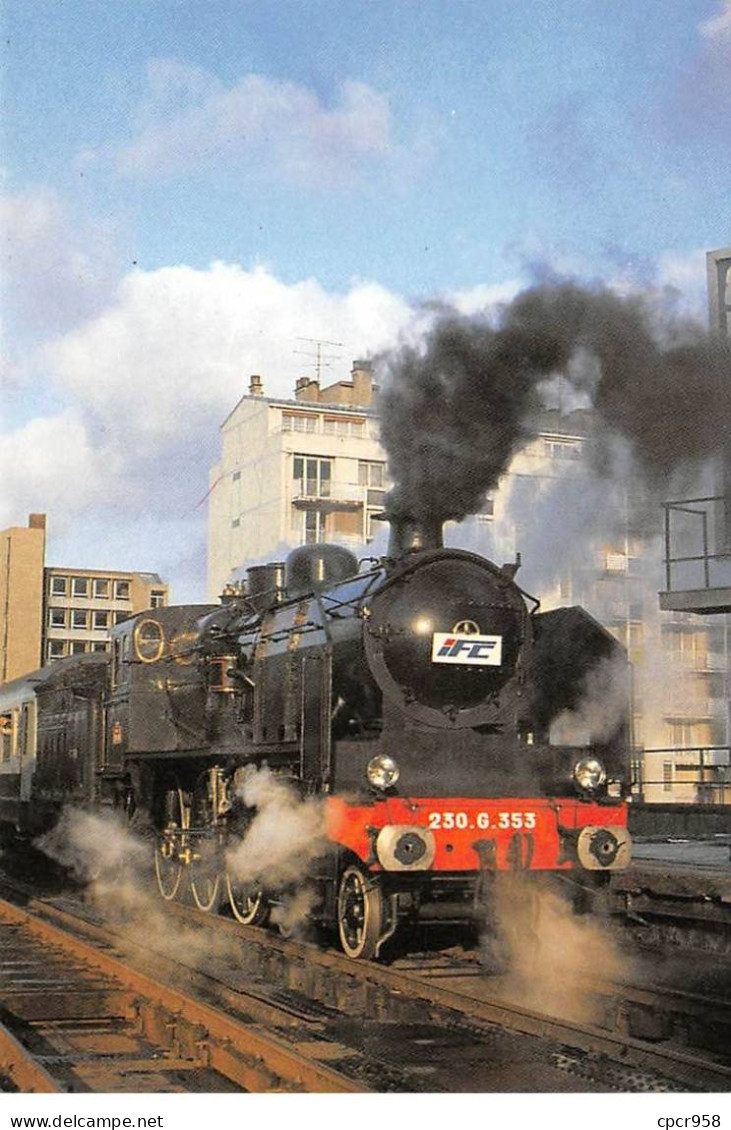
<point x="49" y="613"/>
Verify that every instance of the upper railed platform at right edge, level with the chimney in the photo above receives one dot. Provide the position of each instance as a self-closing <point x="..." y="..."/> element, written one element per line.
<point x="698" y="580"/>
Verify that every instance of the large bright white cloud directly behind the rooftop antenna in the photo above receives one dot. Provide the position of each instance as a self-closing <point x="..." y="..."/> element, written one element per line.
<point x="173" y="354"/>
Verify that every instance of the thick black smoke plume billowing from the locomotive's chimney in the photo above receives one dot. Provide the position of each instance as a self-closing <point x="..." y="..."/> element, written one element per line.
<point x="455" y="411"/>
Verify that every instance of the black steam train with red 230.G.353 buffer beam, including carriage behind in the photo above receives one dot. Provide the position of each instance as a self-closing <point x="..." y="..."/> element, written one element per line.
<point x="413" y="699"/>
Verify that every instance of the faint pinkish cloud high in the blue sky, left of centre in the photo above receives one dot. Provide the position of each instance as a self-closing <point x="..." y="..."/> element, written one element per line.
<point x="260" y="126"/>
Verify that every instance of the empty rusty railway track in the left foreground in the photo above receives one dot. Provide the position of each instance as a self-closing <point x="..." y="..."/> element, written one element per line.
<point x="76" y="1018"/>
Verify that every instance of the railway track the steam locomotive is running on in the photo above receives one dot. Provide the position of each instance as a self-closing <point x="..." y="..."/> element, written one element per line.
<point x="373" y="1024"/>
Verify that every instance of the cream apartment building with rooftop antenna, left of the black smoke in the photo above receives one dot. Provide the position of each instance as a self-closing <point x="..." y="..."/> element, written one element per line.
<point x="295" y="472"/>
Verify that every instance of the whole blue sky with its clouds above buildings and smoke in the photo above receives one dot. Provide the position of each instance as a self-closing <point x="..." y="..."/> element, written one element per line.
<point x="345" y="161"/>
